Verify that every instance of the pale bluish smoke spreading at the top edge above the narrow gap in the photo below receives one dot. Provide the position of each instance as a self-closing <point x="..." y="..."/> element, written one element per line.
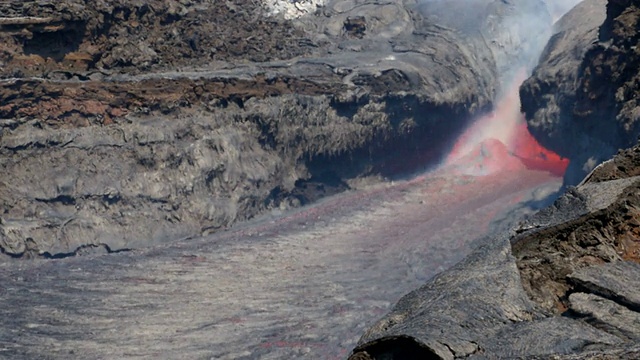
<point x="514" y="31"/>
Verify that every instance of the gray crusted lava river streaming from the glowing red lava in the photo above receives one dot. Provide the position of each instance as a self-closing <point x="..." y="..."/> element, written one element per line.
<point x="303" y="286"/>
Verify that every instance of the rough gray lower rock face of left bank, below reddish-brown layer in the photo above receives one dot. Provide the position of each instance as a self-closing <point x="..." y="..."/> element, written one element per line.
<point x="143" y="179"/>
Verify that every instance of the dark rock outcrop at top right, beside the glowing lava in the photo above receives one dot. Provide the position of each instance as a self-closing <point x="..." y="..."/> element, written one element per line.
<point x="581" y="100"/>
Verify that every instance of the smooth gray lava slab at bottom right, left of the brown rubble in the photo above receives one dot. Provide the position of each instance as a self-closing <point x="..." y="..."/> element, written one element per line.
<point x="457" y="315"/>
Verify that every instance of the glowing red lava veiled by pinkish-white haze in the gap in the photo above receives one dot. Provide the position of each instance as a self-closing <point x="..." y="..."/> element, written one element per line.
<point x="500" y="141"/>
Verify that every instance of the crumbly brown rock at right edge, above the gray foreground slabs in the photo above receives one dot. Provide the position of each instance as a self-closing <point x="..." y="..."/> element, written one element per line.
<point x="604" y="234"/>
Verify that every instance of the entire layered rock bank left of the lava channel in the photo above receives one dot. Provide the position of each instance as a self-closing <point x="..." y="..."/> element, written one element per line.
<point x="151" y="120"/>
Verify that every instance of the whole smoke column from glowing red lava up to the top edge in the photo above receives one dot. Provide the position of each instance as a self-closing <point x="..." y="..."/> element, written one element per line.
<point x="516" y="32"/>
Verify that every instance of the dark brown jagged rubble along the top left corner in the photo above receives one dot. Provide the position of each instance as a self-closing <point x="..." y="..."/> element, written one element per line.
<point x="41" y="38"/>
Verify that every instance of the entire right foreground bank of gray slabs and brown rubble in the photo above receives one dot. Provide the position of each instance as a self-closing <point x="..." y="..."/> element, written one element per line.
<point x="541" y="292"/>
